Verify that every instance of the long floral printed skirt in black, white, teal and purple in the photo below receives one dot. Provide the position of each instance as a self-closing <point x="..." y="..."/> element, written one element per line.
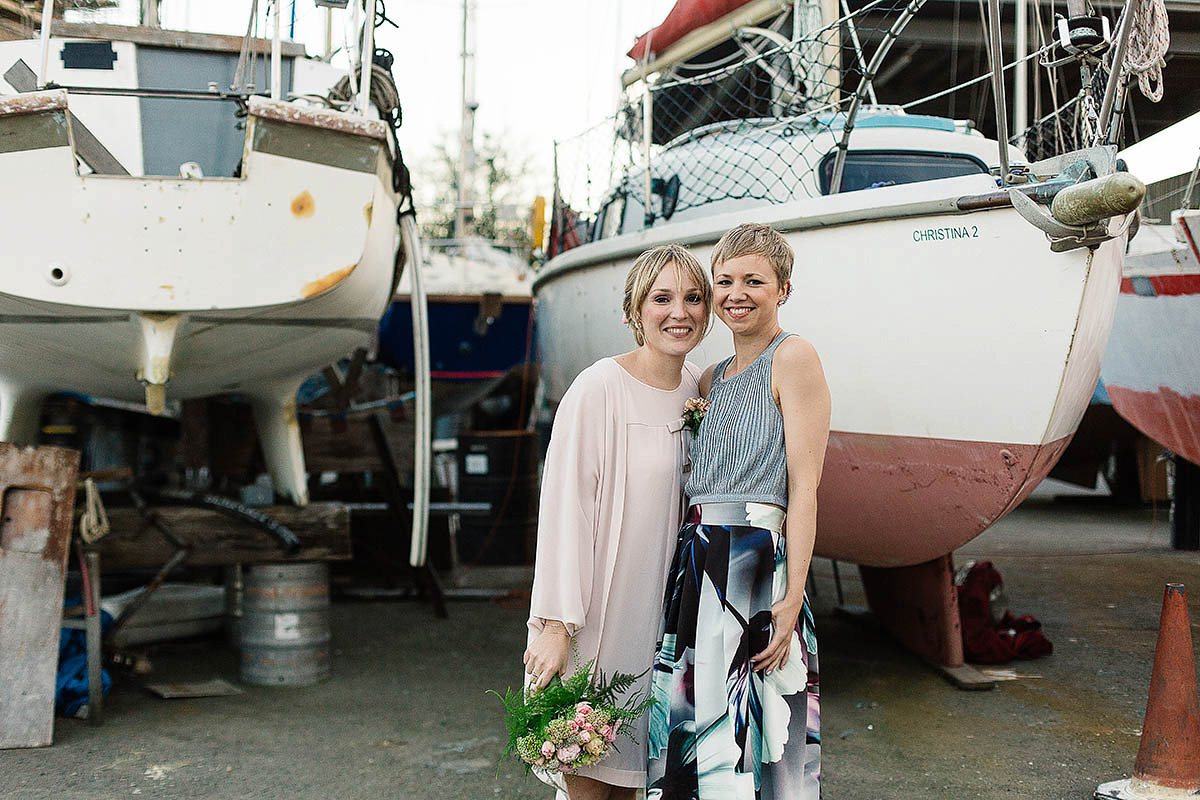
<point x="722" y="731"/>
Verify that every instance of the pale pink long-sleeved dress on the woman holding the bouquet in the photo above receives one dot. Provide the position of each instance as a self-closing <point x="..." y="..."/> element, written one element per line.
<point x="611" y="496"/>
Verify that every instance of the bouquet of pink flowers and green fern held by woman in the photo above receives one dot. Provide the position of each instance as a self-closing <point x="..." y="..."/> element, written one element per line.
<point x="571" y="724"/>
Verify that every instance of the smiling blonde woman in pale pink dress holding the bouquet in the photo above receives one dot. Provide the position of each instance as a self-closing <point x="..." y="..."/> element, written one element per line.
<point x="611" y="502"/>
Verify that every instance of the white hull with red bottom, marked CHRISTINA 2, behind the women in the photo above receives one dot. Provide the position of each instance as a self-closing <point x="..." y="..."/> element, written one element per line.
<point x="961" y="353"/>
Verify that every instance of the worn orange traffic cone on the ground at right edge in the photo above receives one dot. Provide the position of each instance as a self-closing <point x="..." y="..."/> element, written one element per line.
<point x="1168" y="765"/>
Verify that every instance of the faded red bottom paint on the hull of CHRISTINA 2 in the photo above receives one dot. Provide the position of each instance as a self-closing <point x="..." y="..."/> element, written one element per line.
<point x="904" y="501"/>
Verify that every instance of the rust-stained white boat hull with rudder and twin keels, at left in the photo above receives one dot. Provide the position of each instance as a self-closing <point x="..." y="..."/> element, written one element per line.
<point x="161" y="288"/>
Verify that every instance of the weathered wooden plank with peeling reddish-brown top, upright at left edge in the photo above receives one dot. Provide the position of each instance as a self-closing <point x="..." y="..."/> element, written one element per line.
<point x="37" y="508"/>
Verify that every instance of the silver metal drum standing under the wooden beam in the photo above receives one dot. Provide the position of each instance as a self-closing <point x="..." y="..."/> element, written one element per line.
<point x="285" y="625"/>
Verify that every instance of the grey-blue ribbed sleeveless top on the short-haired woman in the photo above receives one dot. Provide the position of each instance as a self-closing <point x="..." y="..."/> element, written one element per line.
<point x="739" y="456"/>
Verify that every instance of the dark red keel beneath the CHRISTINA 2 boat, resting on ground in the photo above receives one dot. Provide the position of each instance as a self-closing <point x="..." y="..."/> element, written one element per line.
<point x="920" y="606"/>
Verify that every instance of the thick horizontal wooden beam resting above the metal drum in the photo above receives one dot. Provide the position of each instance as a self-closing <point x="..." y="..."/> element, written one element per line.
<point x="218" y="540"/>
